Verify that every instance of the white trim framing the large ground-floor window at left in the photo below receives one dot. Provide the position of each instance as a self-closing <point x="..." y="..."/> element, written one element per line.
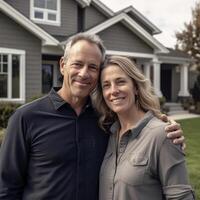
<point x="22" y="54"/>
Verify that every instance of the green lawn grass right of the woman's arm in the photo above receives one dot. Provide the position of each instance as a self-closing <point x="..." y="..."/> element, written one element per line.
<point x="191" y="129"/>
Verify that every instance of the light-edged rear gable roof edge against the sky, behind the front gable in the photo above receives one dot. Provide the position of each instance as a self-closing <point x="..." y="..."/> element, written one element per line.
<point x="141" y="17"/>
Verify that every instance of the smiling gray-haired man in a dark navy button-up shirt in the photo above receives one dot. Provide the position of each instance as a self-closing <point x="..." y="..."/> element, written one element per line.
<point x="53" y="148"/>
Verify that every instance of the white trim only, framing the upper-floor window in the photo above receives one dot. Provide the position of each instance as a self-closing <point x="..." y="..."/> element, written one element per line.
<point x="46" y="22"/>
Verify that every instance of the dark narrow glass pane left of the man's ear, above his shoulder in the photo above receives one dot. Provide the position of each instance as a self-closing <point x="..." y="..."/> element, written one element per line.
<point x="47" y="78"/>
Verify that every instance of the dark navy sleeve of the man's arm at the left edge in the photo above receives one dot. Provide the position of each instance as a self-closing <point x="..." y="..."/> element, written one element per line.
<point x="13" y="159"/>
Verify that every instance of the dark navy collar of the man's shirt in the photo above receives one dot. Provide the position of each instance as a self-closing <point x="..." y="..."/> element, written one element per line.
<point x="58" y="101"/>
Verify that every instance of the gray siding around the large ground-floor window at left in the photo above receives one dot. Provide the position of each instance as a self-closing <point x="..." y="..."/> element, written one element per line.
<point x="14" y="36"/>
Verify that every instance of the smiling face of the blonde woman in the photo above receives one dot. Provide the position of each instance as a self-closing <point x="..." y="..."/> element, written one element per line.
<point x="118" y="89"/>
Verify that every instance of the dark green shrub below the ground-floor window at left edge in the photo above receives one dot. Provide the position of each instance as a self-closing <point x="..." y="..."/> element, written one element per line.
<point x="6" y="110"/>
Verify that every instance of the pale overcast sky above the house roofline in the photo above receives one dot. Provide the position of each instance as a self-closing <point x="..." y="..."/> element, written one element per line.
<point x="169" y="15"/>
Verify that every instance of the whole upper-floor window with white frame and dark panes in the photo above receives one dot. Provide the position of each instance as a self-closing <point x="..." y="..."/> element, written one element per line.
<point x="46" y="11"/>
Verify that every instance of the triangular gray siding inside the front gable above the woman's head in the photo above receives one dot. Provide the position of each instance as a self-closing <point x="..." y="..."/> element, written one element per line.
<point x="120" y="38"/>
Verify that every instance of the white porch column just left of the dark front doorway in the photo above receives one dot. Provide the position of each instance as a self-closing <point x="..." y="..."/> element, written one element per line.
<point x="156" y="77"/>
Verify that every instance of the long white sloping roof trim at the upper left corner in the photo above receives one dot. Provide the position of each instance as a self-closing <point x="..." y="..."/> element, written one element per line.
<point x="46" y="38"/>
